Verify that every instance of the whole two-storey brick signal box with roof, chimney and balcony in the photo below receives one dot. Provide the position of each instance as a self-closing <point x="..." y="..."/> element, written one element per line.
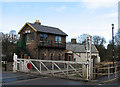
<point x="42" y="42"/>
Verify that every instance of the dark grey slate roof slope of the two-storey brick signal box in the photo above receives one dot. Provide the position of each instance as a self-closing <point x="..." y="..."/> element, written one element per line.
<point x="48" y="29"/>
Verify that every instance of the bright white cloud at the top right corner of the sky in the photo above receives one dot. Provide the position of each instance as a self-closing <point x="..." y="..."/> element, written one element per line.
<point x="99" y="3"/>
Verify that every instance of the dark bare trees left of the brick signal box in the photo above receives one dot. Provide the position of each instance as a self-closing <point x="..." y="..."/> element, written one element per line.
<point x="9" y="44"/>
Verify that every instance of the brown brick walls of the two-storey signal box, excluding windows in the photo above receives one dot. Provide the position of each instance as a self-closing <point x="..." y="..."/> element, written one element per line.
<point x="36" y="51"/>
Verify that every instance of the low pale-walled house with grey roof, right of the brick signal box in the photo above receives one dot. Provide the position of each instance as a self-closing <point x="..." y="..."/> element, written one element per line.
<point x="79" y="52"/>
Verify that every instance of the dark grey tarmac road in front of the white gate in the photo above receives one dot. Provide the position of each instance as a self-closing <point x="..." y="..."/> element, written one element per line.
<point x="10" y="78"/>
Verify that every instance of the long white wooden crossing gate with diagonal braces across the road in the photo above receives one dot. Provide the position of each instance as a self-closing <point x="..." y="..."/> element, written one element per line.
<point x="55" y="68"/>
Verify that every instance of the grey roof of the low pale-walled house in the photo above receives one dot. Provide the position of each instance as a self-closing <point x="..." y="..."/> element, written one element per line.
<point x="77" y="48"/>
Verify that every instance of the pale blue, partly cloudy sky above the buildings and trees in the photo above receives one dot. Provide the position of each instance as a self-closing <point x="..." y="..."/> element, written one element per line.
<point x="74" y="17"/>
